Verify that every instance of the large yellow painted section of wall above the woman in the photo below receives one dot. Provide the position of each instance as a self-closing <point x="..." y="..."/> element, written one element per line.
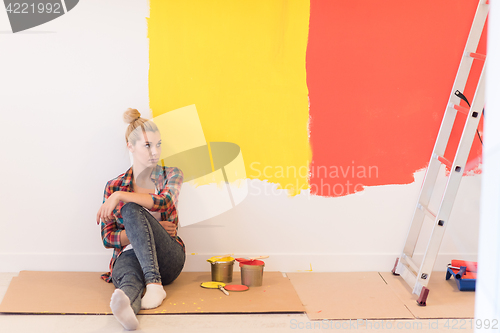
<point x="242" y="63"/>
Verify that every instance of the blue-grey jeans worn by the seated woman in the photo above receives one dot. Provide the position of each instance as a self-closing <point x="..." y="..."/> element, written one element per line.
<point x="156" y="256"/>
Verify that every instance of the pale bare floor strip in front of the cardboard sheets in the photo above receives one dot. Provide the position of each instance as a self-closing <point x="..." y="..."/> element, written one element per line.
<point x="214" y="323"/>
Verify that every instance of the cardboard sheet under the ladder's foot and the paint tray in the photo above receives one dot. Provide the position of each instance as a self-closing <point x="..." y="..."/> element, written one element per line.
<point x="444" y="299"/>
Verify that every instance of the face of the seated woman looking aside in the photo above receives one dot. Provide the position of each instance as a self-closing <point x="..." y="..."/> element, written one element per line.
<point x="147" y="149"/>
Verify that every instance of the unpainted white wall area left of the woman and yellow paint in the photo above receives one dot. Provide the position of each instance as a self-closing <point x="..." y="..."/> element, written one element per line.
<point x="64" y="86"/>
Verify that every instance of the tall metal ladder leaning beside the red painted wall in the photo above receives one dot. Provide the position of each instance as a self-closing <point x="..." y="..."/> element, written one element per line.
<point x="416" y="276"/>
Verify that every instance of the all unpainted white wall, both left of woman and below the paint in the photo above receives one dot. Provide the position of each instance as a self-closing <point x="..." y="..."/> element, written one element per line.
<point x="64" y="86"/>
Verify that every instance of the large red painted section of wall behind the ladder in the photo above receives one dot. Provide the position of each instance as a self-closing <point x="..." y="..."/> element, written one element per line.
<point x="379" y="75"/>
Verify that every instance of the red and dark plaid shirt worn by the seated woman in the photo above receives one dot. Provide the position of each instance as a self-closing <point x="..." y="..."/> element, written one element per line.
<point x="164" y="202"/>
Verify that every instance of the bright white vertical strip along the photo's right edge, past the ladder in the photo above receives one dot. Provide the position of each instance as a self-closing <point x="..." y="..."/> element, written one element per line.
<point x="488" y="279"/>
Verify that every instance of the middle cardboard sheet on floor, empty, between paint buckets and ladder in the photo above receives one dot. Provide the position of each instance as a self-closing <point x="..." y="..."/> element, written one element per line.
<point x="353" y="295"/>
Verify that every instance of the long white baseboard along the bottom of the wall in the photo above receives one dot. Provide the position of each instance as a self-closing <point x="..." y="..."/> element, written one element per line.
<point x="299" y="262"/>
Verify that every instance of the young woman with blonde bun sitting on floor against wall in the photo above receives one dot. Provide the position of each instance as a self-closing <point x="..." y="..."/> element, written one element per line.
<point x="139" y="221"/>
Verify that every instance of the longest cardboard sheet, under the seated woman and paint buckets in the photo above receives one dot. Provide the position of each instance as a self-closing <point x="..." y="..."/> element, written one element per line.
<point x="85" y="293"/>
